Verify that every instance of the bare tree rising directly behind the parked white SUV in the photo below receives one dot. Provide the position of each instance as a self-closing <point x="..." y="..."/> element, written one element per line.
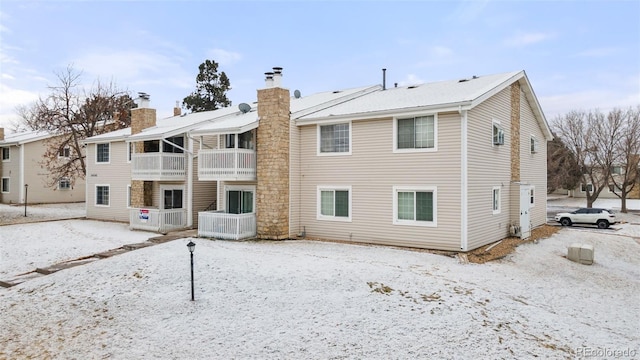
<point x="591" y="137"/>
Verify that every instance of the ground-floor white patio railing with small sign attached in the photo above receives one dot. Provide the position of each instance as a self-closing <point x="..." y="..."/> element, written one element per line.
<point x="158" y="220"/>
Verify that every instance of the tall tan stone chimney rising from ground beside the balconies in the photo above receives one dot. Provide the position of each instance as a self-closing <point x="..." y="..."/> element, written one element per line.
<point x="272" y="198"/>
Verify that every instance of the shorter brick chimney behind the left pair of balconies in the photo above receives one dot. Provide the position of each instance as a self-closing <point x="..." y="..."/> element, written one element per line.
<point x="142" y="117"/>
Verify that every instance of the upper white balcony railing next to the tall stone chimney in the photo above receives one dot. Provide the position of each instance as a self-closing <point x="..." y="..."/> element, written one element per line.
<point x="227" y="164"/>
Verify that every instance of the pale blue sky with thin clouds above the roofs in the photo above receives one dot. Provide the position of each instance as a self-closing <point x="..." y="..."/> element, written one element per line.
<point x="577" y="54"/>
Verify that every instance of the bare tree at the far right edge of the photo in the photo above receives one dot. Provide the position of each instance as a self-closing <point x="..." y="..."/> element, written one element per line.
<point x="627" y="155"/>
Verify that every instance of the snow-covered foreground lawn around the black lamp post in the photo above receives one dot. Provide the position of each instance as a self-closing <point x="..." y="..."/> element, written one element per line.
<point x="314" y="300"/>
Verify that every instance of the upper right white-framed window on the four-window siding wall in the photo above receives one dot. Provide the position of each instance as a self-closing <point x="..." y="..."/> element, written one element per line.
<point x="415" y="134"/>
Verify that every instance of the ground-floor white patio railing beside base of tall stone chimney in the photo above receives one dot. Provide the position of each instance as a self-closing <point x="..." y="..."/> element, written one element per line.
<point x="221" y="225"/>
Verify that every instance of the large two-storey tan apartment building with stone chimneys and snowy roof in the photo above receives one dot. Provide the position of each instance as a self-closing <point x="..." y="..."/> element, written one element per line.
<point x="450" y="165"/>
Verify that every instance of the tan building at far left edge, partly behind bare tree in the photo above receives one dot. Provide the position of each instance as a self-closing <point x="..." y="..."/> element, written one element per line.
<point x="22" y="154"/>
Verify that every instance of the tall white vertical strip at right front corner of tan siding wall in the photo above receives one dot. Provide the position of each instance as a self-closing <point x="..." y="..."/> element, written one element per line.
<point x="464" y="182"/>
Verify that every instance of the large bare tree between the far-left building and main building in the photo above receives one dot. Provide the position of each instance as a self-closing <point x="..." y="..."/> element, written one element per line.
<point x="72" y="114"/>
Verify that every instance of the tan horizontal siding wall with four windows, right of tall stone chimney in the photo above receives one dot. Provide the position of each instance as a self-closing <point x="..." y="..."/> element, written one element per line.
<point x="372" y="170"/>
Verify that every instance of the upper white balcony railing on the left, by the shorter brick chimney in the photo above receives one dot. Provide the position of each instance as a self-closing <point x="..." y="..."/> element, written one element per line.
<point x="158" y="166"/>
